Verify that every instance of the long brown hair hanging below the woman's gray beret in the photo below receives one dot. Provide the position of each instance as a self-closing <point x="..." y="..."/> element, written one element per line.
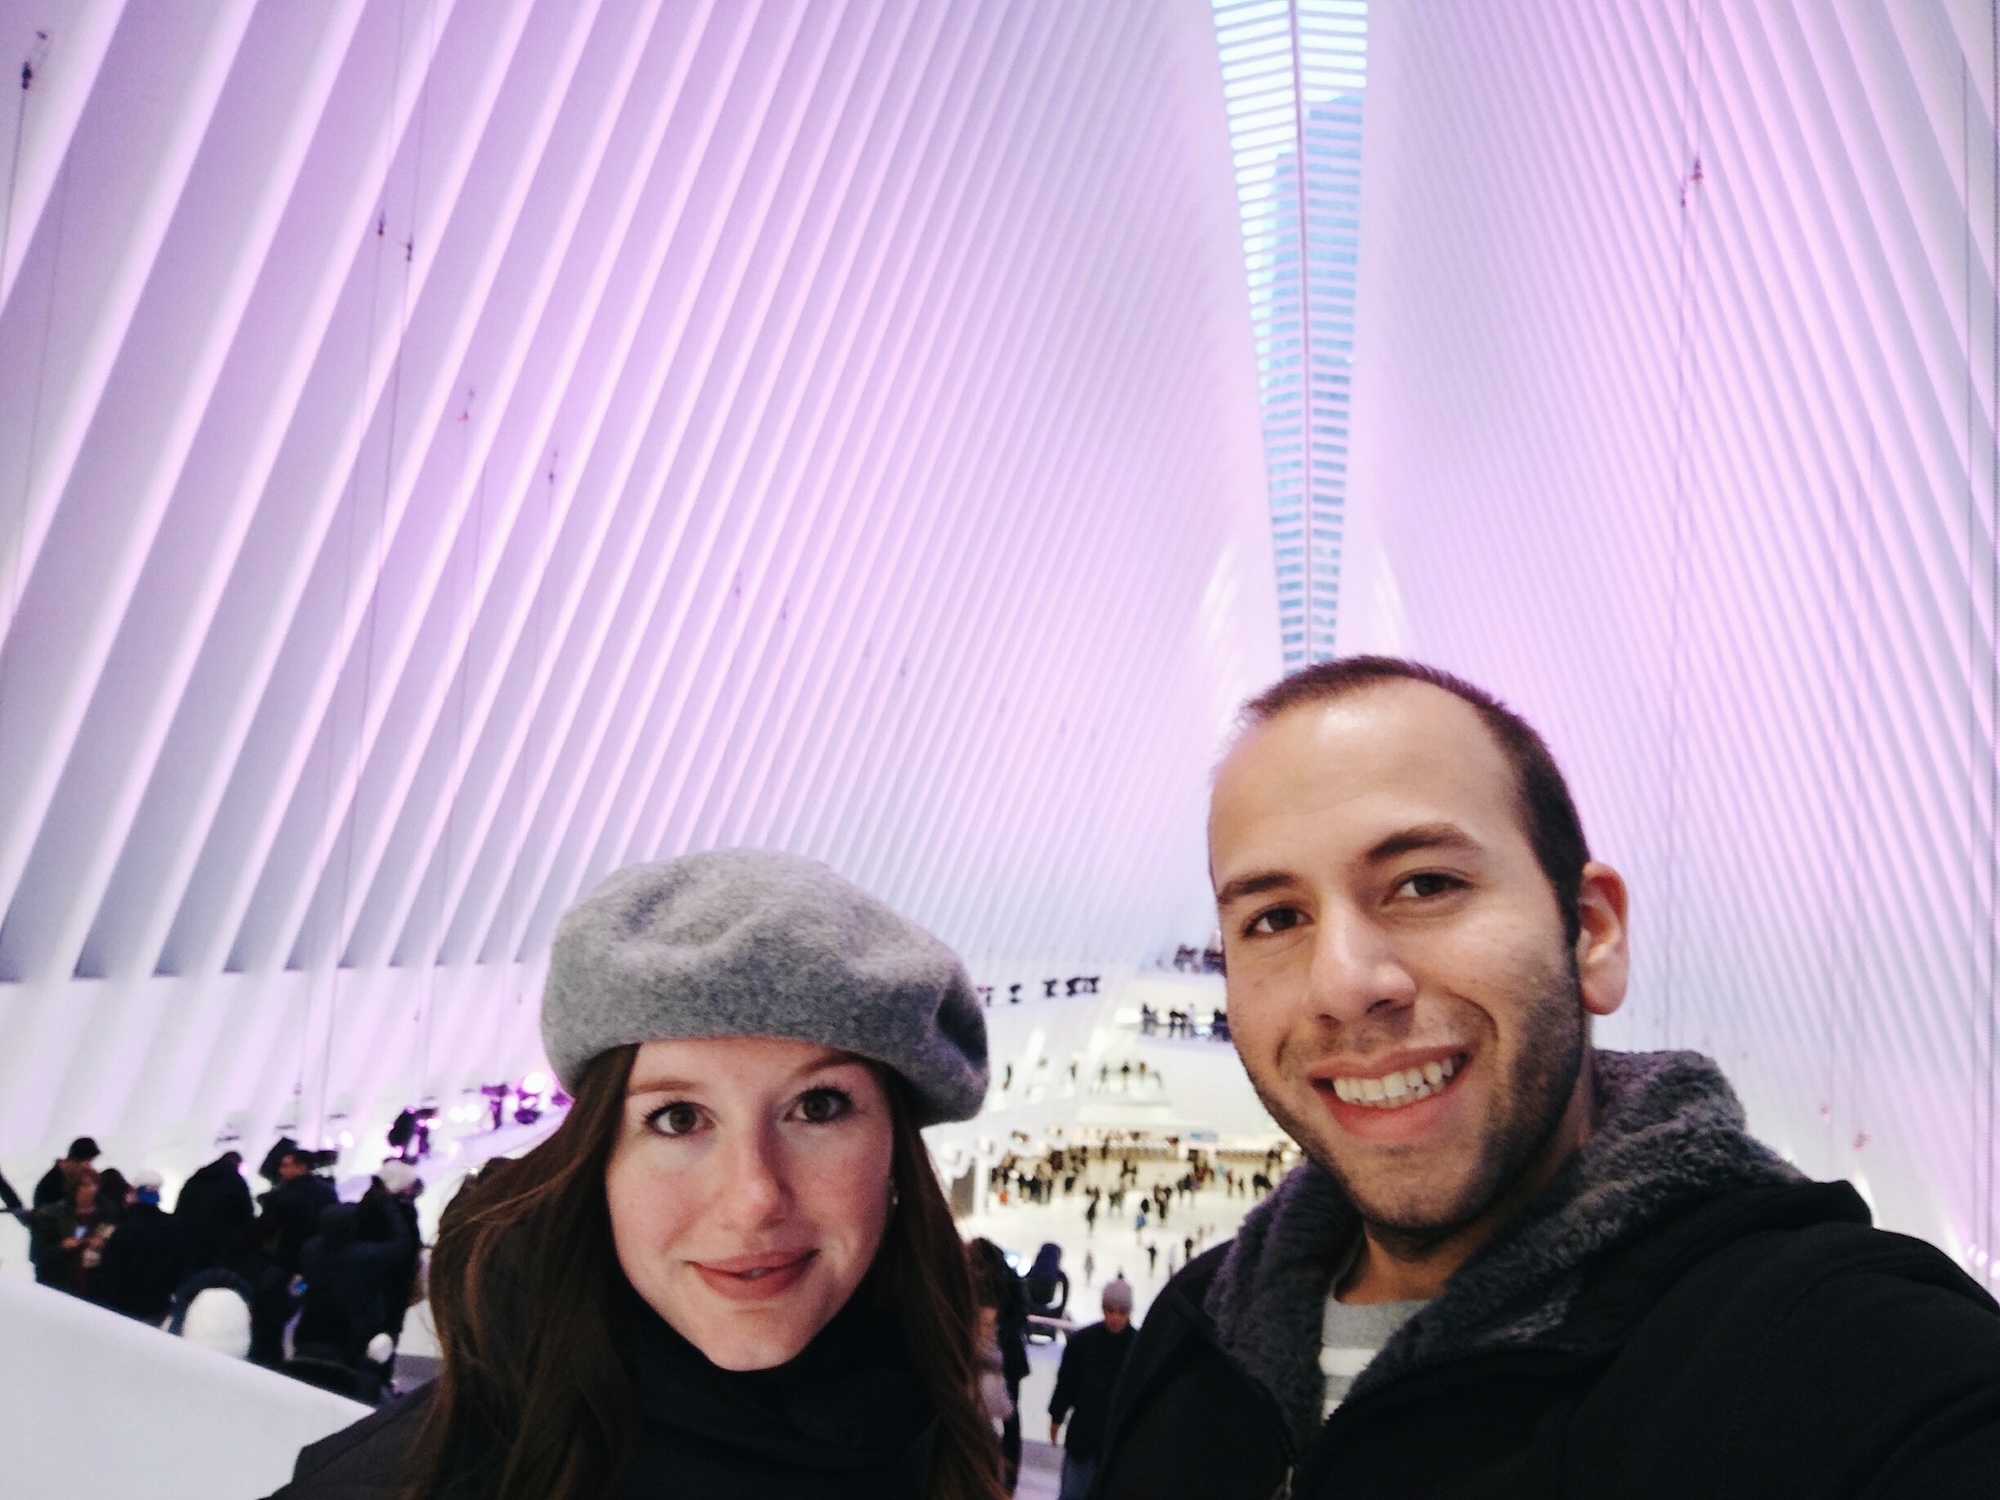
<point x="533" y="1401"/>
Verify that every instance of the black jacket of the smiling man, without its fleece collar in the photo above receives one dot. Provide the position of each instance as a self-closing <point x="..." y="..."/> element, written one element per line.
<point x="1763" y="1345"/>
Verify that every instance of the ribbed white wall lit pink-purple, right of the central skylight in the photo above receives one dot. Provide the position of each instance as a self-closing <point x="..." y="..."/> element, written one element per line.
<point x="1679" y="433"/>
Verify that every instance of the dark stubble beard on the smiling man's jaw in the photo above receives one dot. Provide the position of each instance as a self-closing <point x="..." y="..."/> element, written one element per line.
<point x="1537" y="1097"/>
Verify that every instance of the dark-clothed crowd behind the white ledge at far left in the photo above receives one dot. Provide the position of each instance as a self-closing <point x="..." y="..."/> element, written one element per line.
<point x="293" y="1279"/>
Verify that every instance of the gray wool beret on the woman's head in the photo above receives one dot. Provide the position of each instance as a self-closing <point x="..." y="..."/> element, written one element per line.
<point x="755" y="943"/>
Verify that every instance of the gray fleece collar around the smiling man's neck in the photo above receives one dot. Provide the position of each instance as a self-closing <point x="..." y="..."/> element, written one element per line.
<point x="1671" y="1135"/>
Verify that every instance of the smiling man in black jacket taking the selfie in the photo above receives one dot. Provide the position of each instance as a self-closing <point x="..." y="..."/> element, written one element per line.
<point x="1511" y="1265"/>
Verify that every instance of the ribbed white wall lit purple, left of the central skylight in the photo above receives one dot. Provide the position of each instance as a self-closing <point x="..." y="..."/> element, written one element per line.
<point x="453" y="451"/>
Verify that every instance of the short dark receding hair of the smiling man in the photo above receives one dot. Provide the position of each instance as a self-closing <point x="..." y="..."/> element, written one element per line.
<point x="1547" y="811"/>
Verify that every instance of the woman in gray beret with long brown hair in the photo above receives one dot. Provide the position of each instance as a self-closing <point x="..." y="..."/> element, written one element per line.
<point x="731" y="1271"/>
